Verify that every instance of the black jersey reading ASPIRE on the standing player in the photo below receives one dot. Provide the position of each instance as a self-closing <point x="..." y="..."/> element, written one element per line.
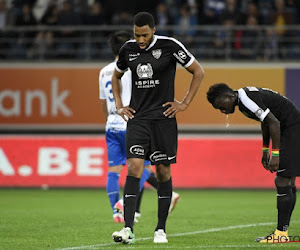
<point x="153" y="73"/>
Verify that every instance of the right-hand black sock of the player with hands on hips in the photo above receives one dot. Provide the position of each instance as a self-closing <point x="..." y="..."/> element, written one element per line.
<point x="164" y="192"/>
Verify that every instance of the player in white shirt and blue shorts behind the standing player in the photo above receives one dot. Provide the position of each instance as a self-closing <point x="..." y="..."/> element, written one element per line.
<point x="116" y="130"/>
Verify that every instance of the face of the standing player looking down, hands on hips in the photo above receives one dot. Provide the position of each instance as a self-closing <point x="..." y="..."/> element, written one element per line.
<point x="143" y="35"/>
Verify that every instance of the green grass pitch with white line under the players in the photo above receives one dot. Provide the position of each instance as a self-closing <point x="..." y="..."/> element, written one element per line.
<point x="82" y="219"/>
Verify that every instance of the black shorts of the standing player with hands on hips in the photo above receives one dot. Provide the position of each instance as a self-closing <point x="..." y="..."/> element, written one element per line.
<point x="154" y="141"/>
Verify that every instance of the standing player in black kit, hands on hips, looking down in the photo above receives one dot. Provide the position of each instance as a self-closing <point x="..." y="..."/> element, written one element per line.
<point x="152" y="127"/>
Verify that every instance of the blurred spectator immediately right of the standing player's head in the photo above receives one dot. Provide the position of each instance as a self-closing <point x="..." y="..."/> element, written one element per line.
<point x="162" y="18"/>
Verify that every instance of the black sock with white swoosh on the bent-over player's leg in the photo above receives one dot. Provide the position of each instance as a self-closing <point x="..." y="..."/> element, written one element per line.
<point x="284" y="206"/>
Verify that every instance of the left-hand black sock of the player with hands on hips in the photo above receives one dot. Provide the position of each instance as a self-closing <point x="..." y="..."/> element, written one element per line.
<point x="131" y="192"/>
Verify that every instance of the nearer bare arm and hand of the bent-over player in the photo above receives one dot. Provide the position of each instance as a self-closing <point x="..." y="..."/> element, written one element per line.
<point x="274" y="130"/>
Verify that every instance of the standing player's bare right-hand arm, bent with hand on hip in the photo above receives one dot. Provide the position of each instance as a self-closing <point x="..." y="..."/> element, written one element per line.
<point x="198" y="74"/>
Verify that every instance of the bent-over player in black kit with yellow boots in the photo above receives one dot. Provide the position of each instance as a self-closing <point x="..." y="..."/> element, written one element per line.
<point x="280" y="123"/>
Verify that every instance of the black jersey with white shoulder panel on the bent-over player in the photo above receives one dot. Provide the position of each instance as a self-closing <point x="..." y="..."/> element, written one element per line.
<point x="256" y="103"/>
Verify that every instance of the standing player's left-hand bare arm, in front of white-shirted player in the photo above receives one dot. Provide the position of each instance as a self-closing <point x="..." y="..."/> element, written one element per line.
<point x="126" y="111"/>
